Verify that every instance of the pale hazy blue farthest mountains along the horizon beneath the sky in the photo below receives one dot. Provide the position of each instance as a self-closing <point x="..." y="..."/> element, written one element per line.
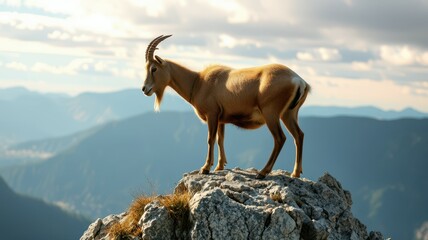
<point x="28" y="115"/>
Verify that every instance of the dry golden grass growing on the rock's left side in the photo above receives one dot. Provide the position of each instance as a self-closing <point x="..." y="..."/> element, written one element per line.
<point x="177" y="205"/>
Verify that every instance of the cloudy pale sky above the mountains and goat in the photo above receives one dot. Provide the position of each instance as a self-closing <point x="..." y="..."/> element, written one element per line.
<point x="352" y="53"/>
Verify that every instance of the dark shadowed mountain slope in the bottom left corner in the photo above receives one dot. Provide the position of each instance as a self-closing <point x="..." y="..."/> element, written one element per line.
<point x="28" y="218"/>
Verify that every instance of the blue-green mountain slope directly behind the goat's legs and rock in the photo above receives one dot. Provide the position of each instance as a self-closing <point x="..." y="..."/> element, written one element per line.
<point x="97" y="172"/>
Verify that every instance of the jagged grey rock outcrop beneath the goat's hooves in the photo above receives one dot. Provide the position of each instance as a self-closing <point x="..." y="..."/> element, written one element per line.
<point x="232" y="204"/>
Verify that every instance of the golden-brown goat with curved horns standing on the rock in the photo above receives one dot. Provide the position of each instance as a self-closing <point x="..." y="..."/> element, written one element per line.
<point x="247" y="98"/>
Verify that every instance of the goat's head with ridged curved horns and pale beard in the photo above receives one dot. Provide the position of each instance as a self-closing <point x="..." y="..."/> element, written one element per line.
<point x="158" y="73"/>
